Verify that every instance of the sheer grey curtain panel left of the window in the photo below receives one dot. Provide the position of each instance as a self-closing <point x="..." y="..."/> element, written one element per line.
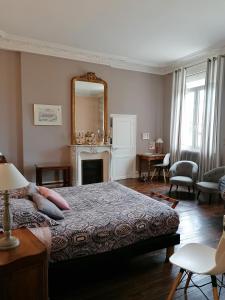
<point x="178" y="93"/>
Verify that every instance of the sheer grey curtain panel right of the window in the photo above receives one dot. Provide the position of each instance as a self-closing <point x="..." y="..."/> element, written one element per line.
<point x="214" y="93"/>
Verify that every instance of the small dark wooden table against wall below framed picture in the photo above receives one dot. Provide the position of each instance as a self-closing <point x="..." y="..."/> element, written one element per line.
<point x="66" y="170"/>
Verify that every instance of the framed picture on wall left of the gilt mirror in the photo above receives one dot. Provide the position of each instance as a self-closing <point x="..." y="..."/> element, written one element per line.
<point x="47" y="114"/>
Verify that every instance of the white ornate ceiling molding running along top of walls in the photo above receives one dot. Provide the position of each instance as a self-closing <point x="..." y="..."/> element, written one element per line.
<point x="23" y="44"/>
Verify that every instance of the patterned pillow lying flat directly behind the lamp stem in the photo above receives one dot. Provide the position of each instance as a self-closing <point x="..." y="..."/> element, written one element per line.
<point x="25" y="214"/>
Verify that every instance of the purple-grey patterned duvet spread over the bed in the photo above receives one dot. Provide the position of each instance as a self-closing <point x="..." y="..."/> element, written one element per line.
<point x="107" y="216"/>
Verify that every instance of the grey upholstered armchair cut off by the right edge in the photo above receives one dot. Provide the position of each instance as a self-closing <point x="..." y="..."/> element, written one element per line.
<point x="210" y="182"/>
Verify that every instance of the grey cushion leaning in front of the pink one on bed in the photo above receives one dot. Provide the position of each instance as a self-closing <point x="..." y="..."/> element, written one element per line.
<point x="47" y="207"/>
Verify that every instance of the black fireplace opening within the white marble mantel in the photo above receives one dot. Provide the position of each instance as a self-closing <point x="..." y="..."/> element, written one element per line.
<point x="92" y="171"/>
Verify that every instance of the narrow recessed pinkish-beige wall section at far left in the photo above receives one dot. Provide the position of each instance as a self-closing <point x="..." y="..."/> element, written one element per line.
<point x="11" y="138"/>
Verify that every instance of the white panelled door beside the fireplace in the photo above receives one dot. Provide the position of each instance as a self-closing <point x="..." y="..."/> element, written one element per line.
<point x="123" y="146"/>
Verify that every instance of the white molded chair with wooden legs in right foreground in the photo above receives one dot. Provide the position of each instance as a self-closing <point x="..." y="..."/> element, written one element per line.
<point x="199" y="259"/>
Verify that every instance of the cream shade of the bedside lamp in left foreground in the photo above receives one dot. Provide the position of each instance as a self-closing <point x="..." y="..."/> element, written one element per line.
<point x="11" y="178"/>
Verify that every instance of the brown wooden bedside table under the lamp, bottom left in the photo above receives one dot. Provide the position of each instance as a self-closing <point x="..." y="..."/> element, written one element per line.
<point x="24" y="270"/>
